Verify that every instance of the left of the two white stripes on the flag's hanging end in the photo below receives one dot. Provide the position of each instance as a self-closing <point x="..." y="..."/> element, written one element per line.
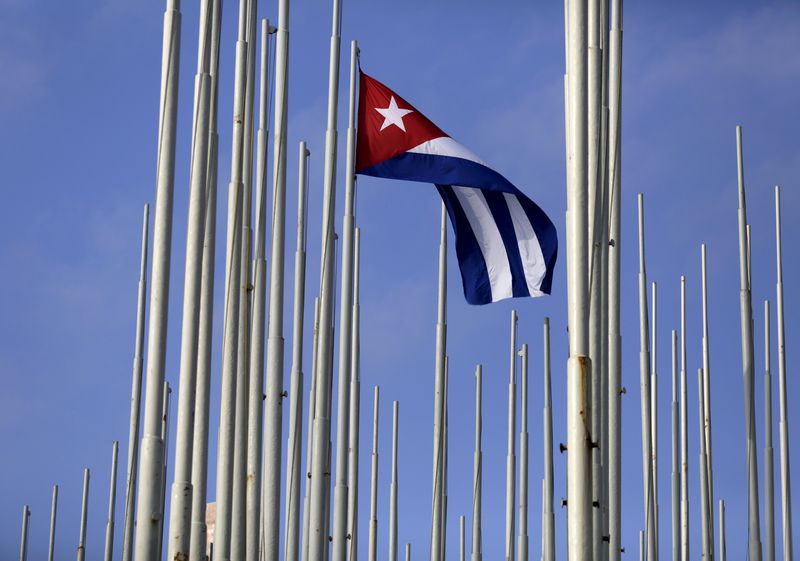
<point x="489" y="240"/>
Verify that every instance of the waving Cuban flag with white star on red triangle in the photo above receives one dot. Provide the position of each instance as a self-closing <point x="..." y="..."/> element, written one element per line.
<point x="506" y="245"/>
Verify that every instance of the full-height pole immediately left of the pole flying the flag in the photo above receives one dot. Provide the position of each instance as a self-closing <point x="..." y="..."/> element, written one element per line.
<point x="320" y="482"/>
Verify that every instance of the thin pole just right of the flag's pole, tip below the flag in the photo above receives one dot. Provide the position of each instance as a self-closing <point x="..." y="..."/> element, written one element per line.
<point x="355" y="404"/>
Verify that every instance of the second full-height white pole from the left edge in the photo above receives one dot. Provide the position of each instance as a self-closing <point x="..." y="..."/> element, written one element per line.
<point x="181" y="495"/>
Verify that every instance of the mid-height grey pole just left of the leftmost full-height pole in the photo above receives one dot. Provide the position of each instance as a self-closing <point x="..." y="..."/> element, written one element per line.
<point x="136" y="394"/>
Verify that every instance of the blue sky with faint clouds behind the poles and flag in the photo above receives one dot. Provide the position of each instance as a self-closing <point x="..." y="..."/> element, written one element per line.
<point x="78" y="118"/>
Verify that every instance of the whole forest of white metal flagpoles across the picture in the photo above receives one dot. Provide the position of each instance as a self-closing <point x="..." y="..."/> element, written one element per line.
<point x="324" y="522"/>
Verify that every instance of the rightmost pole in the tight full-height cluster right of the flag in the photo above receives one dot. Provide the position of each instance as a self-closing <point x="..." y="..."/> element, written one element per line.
<point x="614" y="246"/>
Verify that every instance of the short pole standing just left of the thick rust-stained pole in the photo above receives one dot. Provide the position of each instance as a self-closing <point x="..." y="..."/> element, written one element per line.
<point x="548" y="516"/>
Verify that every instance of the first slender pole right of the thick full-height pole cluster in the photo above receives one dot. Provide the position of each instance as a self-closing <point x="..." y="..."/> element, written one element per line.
<point x="644" y="381"/>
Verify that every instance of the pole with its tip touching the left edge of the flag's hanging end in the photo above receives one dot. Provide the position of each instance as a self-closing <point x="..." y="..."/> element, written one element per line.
<point x="439" y="390"/>
